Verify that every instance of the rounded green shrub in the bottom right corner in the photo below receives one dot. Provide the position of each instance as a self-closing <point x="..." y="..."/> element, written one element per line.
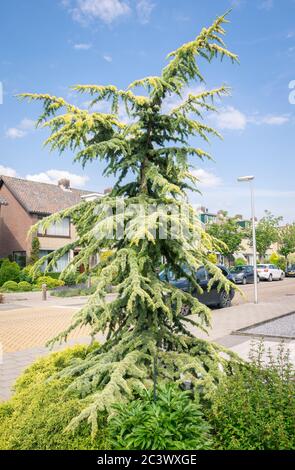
<point x="254" y="409"/>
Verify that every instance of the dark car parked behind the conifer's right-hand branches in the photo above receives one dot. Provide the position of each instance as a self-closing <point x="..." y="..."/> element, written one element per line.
<point x="211" y="298"/>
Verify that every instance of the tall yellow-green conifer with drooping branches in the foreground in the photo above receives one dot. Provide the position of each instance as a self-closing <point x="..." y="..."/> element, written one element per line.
<point x="146" y="335"/>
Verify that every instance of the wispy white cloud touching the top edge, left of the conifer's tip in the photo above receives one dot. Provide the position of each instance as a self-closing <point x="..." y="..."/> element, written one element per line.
<point x="104" y="10"/>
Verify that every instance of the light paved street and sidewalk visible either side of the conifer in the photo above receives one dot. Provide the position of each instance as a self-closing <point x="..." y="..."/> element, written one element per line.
<point x="19" y="352"/>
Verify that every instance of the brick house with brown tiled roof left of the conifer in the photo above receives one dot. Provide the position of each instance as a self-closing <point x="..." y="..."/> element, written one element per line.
<point x="22" y="204"/>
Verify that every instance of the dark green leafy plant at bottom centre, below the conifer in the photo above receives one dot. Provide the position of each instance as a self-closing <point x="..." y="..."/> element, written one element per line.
<point x="173" y="422"/>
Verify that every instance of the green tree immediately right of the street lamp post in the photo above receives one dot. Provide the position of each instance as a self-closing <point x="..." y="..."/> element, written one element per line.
<point x="267" y="233"/>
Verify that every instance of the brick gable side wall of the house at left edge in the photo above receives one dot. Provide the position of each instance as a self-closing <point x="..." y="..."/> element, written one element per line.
<point x="14" y="225"/>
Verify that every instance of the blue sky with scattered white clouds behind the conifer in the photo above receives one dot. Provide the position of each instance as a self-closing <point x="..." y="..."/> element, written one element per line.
<point x="48" y="45"/>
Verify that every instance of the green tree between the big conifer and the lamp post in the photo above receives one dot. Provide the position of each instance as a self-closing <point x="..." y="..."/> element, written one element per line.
<point x="229" y="232"/>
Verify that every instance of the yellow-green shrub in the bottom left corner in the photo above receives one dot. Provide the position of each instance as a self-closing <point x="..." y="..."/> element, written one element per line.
<point x="41" y="408"/>
